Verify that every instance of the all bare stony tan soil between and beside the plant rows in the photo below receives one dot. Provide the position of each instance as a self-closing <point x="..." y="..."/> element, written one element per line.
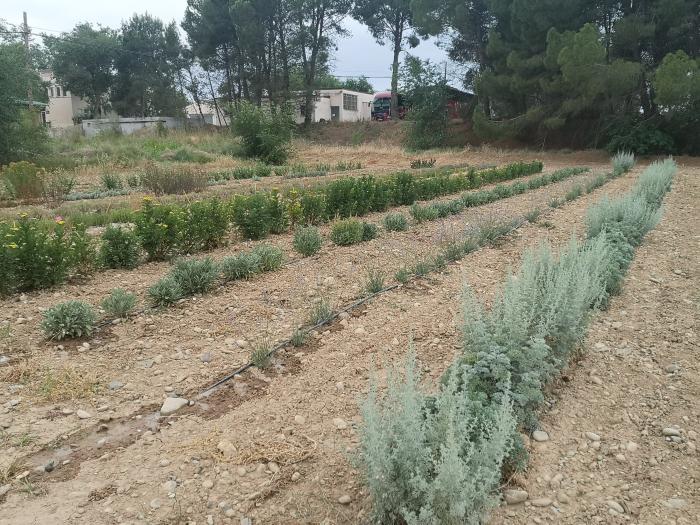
<point x="277" y="445"/>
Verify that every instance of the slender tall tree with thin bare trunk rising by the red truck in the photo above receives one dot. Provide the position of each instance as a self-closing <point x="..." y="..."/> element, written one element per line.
<point x="389" y="22"/>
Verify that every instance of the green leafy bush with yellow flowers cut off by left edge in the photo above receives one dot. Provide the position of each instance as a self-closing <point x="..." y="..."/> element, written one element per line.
<point x="35" y="255"/>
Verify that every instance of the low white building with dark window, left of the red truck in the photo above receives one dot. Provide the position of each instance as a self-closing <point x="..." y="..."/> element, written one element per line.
<point x="336" y="105"/>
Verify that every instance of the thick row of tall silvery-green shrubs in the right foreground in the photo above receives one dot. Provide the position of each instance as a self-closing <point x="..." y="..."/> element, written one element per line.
<point x="440" y="458"/>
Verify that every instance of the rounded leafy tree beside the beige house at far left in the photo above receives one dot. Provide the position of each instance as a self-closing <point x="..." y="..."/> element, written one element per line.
<point x="83" y="61"/>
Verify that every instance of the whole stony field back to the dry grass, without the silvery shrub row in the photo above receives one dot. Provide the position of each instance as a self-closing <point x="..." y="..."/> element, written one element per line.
<point x="82" y="430"/>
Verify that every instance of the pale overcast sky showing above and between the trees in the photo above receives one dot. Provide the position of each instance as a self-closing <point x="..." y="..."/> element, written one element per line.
<point x="357" y="55"/>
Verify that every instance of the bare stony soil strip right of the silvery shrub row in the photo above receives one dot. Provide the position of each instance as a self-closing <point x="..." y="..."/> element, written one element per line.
<point x="624" y="430"/>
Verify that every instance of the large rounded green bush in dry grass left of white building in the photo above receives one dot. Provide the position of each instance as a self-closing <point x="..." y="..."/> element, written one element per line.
<point x="265" y="133"/>
